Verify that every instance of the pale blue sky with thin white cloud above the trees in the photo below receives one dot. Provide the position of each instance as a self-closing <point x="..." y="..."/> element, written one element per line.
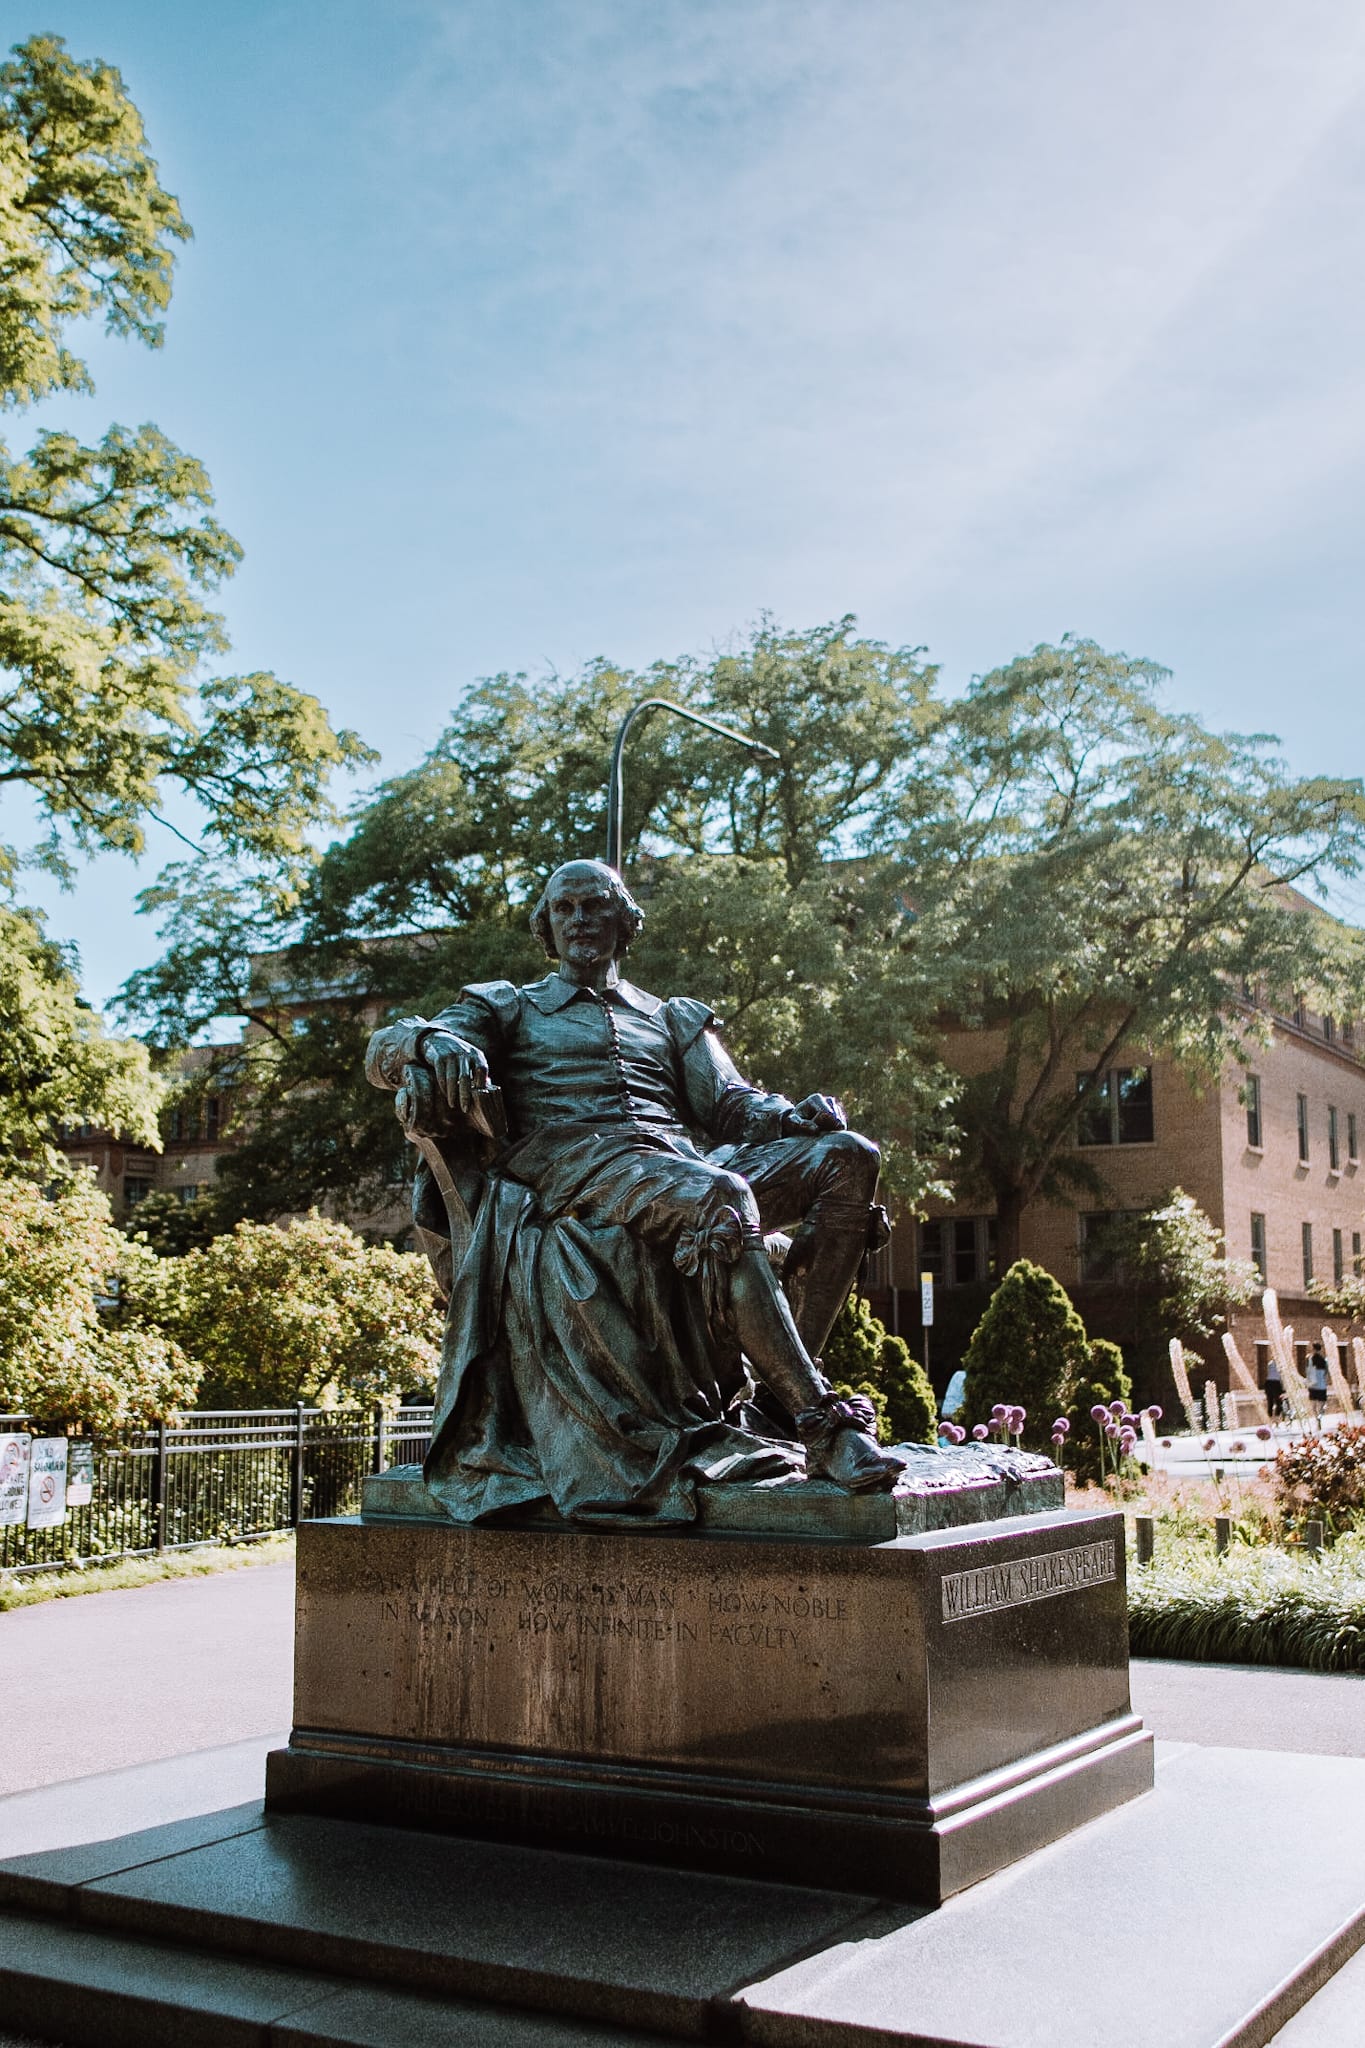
<point x="527" y="331"/>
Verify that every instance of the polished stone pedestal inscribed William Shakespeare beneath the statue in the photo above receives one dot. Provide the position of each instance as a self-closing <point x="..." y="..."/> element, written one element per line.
<point x="897" y="1717"/>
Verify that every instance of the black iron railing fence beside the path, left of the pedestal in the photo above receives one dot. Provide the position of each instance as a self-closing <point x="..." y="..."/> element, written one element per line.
<point x="216" y="1476"/>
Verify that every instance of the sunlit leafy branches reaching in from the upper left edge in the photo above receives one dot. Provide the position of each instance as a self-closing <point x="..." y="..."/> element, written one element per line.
<point x="109" y="556"/>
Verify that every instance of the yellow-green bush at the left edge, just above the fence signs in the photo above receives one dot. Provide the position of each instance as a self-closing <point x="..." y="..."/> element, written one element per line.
<point x="60" y="1361"/>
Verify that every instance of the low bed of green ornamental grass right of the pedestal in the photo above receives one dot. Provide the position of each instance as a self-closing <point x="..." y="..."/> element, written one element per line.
<point x="1256" y="1605"/>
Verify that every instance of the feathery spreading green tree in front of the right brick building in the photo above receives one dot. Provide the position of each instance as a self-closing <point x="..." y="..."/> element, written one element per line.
<point x="1096" y="880"/>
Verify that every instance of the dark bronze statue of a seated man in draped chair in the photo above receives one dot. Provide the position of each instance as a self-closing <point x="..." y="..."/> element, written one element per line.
<point x="613" y="1297"/>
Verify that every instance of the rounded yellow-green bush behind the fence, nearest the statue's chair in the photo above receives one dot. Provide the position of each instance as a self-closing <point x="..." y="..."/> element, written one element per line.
<point x="304" y="1314"/>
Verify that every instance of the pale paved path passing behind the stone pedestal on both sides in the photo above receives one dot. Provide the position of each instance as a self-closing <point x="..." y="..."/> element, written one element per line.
<point x="105" y="1680"/>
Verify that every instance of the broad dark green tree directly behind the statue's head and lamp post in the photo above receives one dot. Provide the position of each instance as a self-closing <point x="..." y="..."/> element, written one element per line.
<point x="768" y="902"/>
